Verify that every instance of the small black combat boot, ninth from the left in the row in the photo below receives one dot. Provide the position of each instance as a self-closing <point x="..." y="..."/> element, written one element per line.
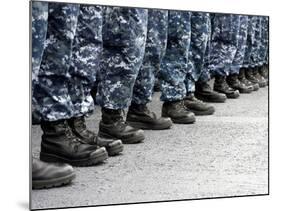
<point x="221" y="86"/>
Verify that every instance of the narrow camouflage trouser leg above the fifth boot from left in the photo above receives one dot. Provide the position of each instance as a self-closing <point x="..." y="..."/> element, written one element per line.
<point x="156" y="41"/>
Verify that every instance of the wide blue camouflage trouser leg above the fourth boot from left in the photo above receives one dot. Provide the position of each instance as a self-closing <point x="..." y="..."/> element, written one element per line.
<point x="124" y="37"/>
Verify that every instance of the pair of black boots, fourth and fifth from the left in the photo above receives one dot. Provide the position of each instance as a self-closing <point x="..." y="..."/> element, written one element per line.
<point x="113" y="124"/>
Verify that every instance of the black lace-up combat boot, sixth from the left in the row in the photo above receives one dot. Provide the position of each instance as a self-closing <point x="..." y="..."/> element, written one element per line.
<point x="177" y="112"/>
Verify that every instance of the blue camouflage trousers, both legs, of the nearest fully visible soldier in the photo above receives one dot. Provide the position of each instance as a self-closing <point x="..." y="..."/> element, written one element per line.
<point x="69" y="62"/>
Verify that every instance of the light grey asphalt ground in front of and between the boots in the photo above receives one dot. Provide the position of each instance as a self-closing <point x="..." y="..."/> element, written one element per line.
<point x="225" y="154"/>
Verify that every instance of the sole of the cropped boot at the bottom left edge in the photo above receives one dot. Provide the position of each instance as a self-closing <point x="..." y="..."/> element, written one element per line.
<point x="50" y="183"/>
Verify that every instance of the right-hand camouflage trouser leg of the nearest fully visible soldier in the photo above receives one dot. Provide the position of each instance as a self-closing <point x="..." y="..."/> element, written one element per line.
<point x="86" y="52"/>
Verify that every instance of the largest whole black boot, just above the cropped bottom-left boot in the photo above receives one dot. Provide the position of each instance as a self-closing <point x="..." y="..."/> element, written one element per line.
<point x="59" y="144"/>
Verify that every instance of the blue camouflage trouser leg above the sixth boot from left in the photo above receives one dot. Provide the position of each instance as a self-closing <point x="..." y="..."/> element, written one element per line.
<point x="173" y="68"/>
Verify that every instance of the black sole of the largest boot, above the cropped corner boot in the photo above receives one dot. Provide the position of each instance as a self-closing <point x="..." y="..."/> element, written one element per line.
<point x="96" y="157"/>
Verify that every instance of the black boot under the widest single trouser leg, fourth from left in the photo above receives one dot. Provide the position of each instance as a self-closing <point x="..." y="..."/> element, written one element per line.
<point x="114" y="126"/>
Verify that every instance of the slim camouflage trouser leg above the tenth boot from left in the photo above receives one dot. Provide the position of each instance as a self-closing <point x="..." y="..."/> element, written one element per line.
<point x="237" y="62"/>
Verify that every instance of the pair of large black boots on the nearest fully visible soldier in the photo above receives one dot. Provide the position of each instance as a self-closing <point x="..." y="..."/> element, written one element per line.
<point x="69" y="141"/>
